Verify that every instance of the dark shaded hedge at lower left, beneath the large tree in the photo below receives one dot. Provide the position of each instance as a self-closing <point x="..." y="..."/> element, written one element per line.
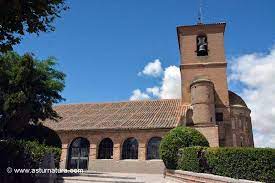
<point x="23" y="154"/>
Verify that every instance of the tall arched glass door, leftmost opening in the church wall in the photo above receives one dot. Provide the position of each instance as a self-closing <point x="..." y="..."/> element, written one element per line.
<point x="78" y="154"/>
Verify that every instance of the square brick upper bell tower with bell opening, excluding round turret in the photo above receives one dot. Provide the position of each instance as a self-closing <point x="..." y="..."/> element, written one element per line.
<point x="202" y="57"/>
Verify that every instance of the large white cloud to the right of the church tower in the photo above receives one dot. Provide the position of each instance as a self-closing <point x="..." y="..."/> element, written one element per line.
<point x="257" y="73"/>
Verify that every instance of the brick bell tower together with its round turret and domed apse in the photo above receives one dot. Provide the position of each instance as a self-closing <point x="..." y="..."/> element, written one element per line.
<point x="204" y="86"/>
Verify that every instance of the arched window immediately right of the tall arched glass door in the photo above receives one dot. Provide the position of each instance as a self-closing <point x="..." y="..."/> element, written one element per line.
<point x="105" y="150"/>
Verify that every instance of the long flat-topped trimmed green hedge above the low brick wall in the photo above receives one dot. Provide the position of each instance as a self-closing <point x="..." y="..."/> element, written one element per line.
<point x="241" y="163"/>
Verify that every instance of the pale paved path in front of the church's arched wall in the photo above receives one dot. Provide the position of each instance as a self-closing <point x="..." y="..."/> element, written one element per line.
<point x="97" y="177"/>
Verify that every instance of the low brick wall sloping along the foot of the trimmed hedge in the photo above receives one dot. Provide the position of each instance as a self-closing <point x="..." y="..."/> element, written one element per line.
<point x="179" y="176"/>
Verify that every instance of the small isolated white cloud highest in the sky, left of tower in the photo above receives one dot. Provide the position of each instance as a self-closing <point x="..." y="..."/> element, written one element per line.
<point x="152" y="69"/>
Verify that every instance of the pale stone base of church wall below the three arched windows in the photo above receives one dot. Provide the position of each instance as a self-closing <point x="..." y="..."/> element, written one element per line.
<point x="129" y="166"/>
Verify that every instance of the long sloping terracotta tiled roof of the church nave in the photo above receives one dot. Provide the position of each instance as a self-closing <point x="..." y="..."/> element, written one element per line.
<point x="149" y="114"/>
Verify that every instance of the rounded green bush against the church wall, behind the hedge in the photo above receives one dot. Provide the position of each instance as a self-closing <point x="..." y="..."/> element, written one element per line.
<point x="178" y="138"/>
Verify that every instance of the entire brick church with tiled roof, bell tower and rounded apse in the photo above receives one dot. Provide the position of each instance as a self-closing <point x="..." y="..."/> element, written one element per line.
<point x="125" y="136"/>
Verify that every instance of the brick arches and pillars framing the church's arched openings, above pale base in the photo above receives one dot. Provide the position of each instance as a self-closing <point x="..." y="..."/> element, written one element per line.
<point x="118" y="137"/>
